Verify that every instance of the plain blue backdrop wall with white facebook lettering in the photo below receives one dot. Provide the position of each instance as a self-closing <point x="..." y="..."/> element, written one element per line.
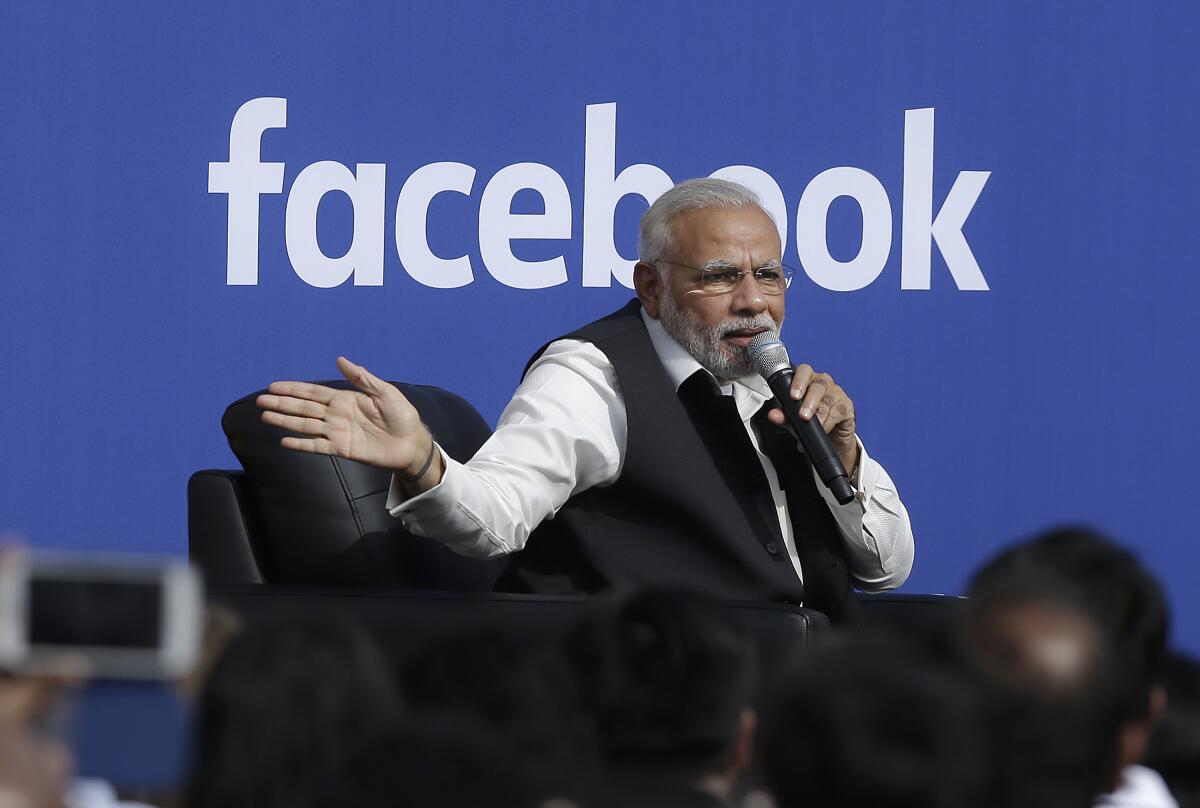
<point x="1043" y="152"/>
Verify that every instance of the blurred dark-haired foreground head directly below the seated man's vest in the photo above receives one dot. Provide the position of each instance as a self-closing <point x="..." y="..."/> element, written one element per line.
<point x="668" y="685"/>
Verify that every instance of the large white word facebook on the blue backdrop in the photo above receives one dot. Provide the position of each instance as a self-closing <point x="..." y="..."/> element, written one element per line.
<point x="245" y="178"/>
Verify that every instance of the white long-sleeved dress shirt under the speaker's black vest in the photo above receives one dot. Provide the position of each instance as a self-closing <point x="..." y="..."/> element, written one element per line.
<point x="566" y="432"/>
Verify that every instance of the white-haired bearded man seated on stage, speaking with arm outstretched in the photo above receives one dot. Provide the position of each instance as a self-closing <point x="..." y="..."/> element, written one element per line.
<point x="640" y="447"/>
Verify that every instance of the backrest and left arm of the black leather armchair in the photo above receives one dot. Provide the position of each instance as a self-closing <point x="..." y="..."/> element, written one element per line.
<point x="315" y="520"/>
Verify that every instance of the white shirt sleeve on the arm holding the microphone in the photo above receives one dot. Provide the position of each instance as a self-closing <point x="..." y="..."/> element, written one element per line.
<point x="875" y="528"/>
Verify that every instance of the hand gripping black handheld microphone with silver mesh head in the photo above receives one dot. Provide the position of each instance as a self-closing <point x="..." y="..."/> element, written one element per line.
<point x="826" y="403"/>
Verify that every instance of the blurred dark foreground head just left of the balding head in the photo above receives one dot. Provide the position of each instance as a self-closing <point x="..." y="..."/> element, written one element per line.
<point x="862" y="722"/>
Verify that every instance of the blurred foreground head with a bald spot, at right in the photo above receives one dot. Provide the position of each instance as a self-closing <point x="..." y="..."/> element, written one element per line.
<point x="1069" y="631"/>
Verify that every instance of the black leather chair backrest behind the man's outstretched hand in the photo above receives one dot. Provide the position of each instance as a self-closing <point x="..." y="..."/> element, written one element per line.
<point x="322" y="520"/>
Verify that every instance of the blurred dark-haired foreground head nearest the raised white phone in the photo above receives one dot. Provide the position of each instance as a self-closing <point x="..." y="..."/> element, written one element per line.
<point x="283" y="708"/>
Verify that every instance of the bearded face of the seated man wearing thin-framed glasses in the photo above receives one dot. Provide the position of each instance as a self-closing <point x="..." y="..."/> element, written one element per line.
<point x="716" y="330"/>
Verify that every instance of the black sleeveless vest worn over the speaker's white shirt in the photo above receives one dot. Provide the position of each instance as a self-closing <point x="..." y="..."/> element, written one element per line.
<point x="692" y="507"/>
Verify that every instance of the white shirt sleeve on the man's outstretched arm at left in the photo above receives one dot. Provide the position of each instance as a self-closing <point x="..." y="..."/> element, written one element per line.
<point x="565" y="432"/>
